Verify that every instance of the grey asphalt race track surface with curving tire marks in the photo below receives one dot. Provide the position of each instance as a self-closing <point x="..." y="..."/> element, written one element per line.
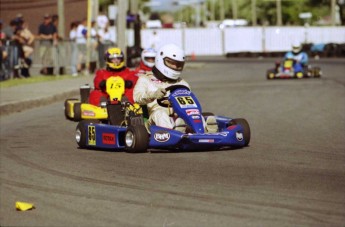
<point x="292" y="174"/>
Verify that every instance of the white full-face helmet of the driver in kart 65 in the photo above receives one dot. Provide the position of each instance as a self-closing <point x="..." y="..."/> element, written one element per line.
<point x="170" y="61"/>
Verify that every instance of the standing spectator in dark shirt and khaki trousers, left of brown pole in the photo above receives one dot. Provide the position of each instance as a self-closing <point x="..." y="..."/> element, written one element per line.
<point x="47" y="34"/>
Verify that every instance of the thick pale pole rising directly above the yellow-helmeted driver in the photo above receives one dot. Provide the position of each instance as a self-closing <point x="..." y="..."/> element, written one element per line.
<point x="122" y="6"/>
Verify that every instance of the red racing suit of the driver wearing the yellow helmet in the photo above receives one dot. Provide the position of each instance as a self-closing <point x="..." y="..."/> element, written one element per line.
<point x="99" y="94"/>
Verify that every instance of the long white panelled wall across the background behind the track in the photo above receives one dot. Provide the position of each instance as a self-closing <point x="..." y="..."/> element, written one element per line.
<point x="215" y="41"/>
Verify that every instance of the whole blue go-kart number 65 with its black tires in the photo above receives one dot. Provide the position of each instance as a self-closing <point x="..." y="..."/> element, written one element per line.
<point x="133" y="134"/>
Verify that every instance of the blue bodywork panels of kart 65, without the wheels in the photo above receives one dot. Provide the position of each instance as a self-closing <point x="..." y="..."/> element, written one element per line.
<point x="187" y="107"/>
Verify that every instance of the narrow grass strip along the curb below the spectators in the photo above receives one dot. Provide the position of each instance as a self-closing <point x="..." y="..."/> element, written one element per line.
<point x="31" y="80"/>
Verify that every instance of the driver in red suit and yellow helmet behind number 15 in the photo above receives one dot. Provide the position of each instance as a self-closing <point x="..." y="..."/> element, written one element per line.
<point x="115" y="61"/>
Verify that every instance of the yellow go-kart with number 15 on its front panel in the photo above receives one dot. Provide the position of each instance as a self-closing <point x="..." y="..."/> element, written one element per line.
<point x="112" y="111"/>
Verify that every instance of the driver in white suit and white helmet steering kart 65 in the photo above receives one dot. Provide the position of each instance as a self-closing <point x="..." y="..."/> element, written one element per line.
<point x="168" y="67"/>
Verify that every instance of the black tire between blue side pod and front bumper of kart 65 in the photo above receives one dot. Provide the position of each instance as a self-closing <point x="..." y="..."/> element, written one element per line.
<point x="136" y="139"/>
